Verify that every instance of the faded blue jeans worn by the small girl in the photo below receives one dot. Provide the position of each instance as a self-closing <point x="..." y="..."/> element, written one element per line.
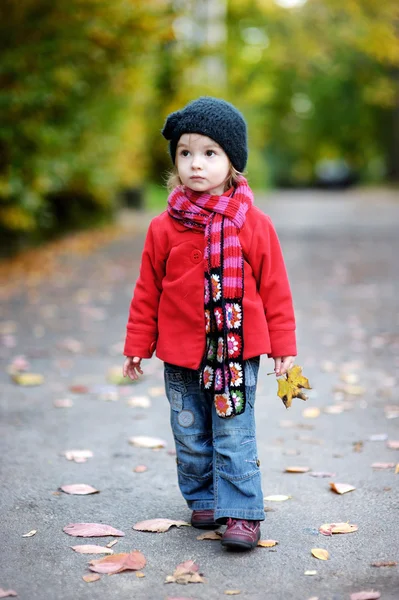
<point x="217" y="462"/>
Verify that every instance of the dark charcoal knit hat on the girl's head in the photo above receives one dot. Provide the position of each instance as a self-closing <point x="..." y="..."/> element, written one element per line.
<point x="214" y="118"/>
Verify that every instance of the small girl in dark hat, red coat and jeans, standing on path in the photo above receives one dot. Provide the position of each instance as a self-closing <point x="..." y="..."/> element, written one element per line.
<point x="212" y="296"/>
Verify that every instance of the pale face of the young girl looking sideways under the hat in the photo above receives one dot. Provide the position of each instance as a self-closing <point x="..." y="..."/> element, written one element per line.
<point x="202" y="164"/>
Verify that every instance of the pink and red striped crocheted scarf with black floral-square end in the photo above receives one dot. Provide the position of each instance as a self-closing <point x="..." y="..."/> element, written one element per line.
<point x="221" y="218"/>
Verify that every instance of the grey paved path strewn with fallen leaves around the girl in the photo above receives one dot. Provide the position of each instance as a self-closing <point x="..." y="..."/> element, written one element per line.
<point x="341" y="252"/>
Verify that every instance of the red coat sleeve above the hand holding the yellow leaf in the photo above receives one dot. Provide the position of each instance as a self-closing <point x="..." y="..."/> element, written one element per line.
<point x="266" y="259"/>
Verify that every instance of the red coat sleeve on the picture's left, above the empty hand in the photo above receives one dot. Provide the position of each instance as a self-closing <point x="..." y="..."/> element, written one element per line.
<point x="142" y="325"/>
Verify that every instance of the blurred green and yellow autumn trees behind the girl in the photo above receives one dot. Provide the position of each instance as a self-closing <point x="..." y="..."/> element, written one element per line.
<point x="85" y="86"/>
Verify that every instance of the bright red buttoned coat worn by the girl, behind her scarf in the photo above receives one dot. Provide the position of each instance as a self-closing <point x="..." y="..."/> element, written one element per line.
<point x="167" y="309"/>
